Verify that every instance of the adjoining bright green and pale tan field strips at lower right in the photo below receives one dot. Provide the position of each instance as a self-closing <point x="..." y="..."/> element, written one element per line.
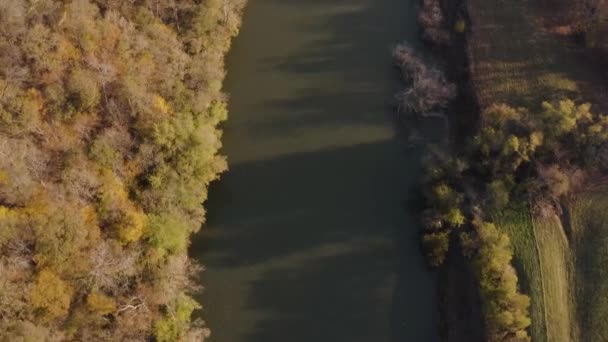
<point x="544" y="264"/>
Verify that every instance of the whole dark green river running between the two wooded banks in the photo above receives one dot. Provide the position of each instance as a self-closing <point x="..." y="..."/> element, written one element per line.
<point x="309" y="237"/>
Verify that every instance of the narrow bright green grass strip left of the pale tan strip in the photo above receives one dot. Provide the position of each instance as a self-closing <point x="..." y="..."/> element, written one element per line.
<point x="518" y="224"/>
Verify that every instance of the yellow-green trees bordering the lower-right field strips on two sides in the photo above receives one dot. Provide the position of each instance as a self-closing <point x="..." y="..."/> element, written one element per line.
<point x="517" y="156"/>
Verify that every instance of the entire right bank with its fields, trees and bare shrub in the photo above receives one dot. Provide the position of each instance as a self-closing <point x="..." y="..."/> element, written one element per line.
<point x="513" y="200"/>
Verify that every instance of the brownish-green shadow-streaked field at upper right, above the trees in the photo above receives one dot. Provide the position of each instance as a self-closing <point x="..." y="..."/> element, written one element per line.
<point x="514" y="60"/>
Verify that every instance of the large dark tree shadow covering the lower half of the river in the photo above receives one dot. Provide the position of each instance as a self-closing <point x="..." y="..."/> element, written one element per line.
<point x="328" y="256"/>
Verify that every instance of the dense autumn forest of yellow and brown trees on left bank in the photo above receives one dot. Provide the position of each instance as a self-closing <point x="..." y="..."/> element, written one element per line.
<point x="108" y="141"/>
